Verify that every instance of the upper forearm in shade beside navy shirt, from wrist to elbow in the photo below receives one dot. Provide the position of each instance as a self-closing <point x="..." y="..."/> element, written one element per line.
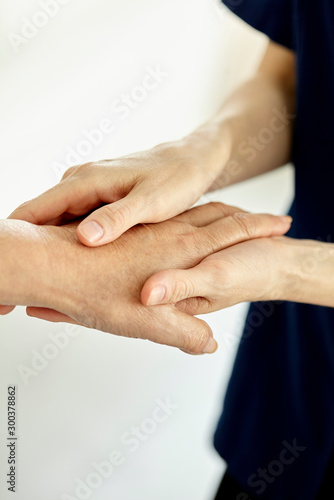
<point x="252" y="132"/>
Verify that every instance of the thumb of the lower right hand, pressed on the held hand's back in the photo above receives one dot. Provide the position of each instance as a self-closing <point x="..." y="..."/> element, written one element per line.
<point x="173" y="285"/>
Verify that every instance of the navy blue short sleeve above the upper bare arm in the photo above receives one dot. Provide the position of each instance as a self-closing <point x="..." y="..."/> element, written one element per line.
<point x="272" y="17"/>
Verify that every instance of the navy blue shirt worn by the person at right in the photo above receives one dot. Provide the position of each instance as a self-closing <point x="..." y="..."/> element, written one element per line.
<point x="276" y="431"/>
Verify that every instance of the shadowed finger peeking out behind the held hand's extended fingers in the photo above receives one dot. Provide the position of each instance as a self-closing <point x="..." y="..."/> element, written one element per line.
<point x="203" y="215"/>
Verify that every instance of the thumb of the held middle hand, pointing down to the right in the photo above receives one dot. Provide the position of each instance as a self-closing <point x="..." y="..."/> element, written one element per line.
<point x="172" y="327"/>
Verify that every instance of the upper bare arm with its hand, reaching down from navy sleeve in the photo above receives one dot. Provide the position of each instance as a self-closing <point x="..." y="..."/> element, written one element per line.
<point x="155" y="185"/>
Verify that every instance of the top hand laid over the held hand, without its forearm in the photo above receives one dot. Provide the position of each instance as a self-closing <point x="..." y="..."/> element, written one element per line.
<point x="151" y="186"/>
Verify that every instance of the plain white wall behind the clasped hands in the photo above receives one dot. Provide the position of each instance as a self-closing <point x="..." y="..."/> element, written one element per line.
<point x="63" y="81"/>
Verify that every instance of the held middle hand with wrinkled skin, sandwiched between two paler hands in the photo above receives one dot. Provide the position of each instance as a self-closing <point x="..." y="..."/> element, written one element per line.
<point x="100" y="288"/>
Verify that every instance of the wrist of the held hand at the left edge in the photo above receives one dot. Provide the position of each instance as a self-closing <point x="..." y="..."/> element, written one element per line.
<point x="38" y="265"/>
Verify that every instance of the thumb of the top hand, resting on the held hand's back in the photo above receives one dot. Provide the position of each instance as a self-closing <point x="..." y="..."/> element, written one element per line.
<point x="109" y="222"/>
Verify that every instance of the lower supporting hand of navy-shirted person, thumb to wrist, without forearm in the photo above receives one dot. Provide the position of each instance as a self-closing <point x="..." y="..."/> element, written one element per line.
<point x="251" y="271"/>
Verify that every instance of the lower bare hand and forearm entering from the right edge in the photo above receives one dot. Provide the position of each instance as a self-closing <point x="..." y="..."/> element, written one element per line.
<point x="298" y="271"/>
